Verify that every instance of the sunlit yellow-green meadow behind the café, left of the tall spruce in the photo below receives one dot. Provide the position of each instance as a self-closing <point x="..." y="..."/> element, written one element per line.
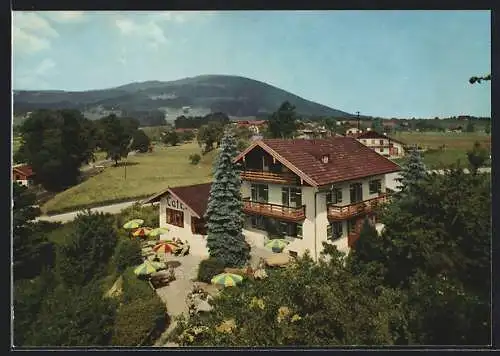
<point x="146" y="174"/>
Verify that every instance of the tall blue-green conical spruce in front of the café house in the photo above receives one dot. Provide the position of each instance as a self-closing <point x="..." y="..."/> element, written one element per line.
<point x="224" y="216"/>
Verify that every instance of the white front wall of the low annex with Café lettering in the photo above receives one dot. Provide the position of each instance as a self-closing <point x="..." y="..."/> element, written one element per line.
<point x="198" y="245"/>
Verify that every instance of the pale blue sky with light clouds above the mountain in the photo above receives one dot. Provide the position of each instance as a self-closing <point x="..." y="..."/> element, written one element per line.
<point x="383" y="63"/>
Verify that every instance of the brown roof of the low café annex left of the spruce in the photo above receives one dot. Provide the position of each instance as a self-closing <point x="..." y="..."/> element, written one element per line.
<point x="195" y="197"/>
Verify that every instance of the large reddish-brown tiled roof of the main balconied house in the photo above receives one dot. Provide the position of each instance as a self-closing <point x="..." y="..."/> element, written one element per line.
<point x="348" y="159"/>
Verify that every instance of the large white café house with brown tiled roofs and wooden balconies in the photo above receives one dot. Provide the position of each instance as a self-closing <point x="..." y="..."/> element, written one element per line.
<point x="306" y="191"/>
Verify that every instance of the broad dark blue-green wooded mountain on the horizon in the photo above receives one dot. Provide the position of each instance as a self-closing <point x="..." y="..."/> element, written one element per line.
<point x="200" y="95"/>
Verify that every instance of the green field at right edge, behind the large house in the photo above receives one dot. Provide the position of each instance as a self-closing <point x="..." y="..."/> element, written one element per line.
<point x="456" y="146"/>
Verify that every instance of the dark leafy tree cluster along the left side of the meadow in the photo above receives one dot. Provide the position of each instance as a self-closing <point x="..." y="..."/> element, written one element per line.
<point x="55" y="143"/>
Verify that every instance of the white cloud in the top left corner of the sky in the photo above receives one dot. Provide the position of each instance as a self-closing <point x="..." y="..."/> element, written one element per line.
<point x="31" y="32"/>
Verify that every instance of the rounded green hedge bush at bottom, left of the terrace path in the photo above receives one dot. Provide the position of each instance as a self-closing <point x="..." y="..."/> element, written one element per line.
<point x="141" y="317"/>
